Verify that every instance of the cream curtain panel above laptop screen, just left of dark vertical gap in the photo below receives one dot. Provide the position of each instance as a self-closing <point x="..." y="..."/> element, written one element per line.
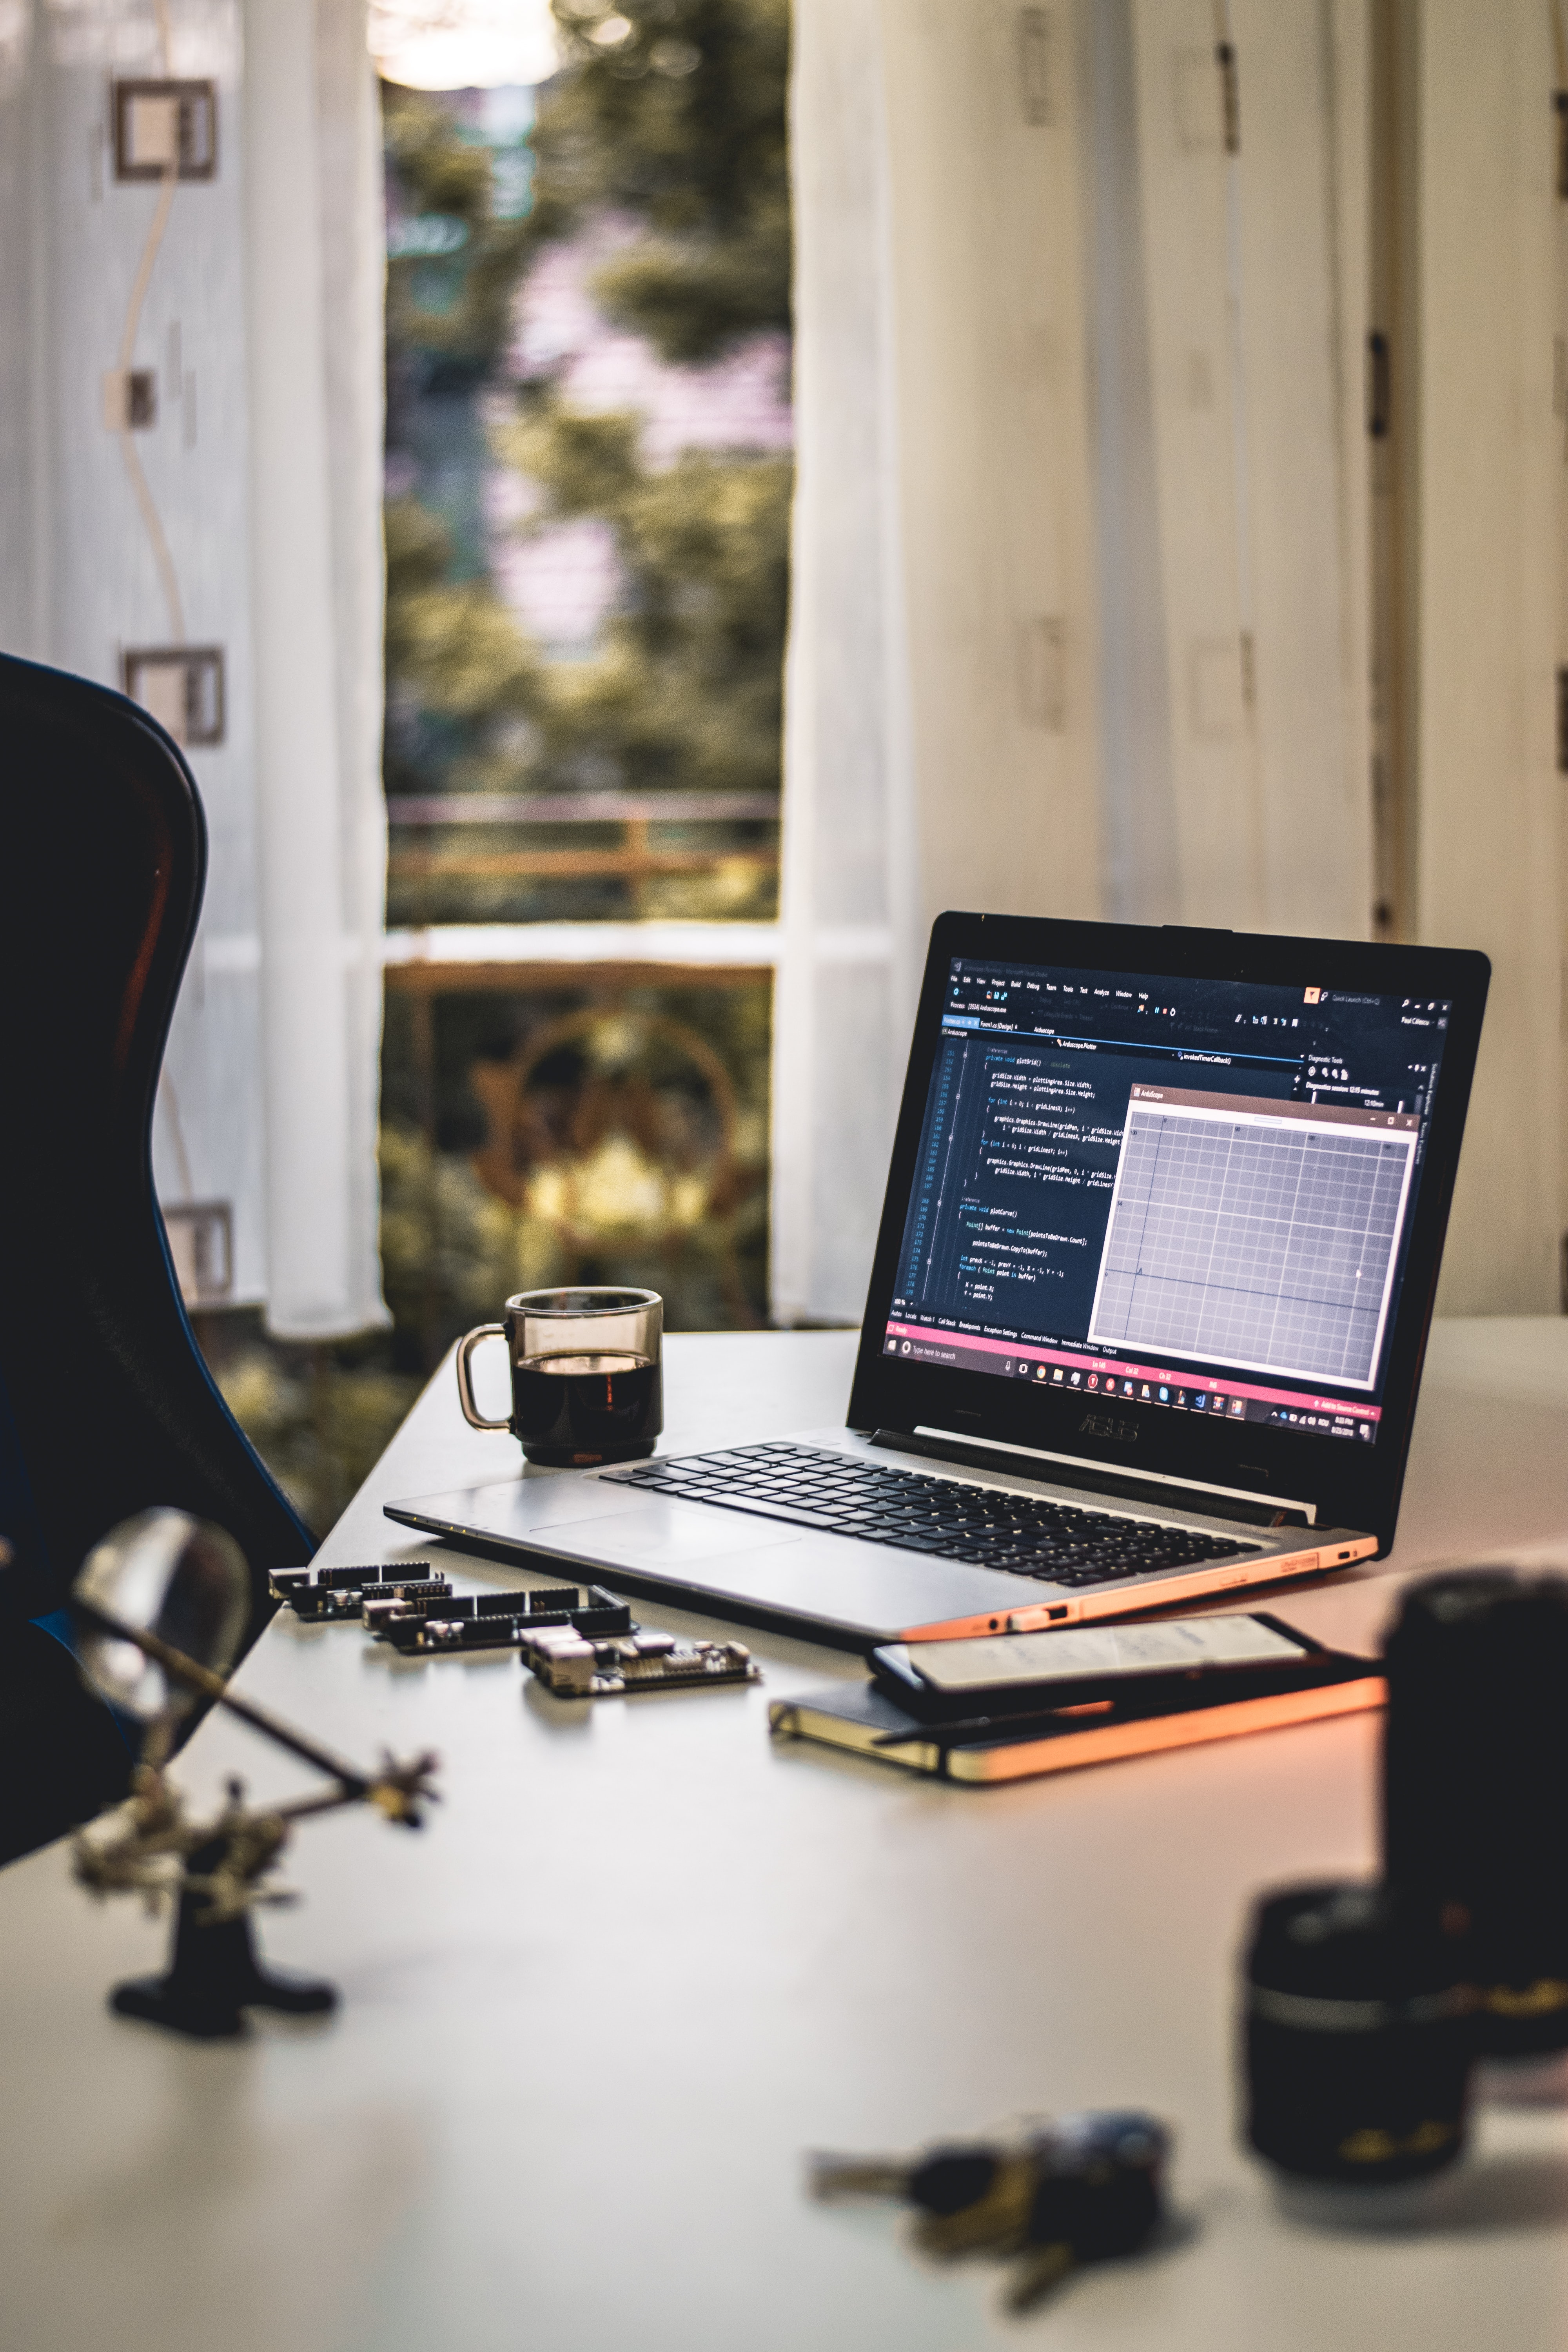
<point x="1252" y="333"/>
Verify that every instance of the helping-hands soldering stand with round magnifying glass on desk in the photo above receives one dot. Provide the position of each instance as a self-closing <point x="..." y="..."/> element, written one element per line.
<point x="217" y="1869"/>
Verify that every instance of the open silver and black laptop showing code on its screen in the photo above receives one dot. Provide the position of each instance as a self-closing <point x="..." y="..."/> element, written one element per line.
<point x="1146" y="1318"/>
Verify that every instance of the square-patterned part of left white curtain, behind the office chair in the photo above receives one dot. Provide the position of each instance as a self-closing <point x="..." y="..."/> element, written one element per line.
<point x="93" y="272"/>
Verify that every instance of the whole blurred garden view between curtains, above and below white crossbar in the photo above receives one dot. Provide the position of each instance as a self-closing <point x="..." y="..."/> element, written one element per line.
<point x="587" y="530"/>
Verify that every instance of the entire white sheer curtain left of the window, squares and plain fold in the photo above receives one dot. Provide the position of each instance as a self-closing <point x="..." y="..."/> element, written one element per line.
<point x="243" y="516"/>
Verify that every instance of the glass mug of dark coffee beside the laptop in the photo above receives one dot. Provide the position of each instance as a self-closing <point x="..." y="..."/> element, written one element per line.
<point x="587" y="1375"/>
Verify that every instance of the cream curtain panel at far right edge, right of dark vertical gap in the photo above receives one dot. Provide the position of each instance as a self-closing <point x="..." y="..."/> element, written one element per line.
<point x="1489" y="617"/>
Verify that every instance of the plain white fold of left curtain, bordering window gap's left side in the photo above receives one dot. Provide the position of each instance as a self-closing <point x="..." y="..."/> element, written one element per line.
<point x="316" y="368"/>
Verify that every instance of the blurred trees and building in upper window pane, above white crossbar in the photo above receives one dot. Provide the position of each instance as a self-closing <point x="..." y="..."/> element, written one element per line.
<point x="589" y="476"/>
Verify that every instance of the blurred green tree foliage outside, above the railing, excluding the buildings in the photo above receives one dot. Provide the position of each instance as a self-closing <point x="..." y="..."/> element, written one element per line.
<point x="671" y="114"/>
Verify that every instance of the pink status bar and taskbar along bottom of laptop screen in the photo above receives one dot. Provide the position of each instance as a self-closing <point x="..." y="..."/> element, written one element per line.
<point x="1134" y="1384"/>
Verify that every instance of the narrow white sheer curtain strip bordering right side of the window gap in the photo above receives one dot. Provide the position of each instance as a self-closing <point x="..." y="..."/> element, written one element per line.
<point x="850" y="909"/>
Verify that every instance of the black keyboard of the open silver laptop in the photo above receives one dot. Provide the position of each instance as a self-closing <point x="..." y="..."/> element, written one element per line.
<point x="918" y="1514"/>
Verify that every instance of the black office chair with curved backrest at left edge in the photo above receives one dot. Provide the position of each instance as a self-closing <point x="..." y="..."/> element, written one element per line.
<point x="107" y="1405"/>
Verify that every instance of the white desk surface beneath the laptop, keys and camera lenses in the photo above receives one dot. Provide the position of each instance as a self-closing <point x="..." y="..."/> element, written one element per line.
<point x="643" y="1960"/>
